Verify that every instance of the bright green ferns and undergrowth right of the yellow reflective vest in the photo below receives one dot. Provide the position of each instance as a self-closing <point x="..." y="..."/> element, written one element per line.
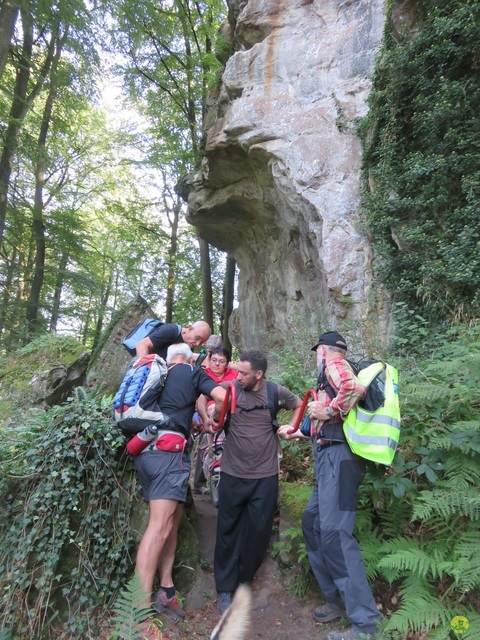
<point x="426" y="540"/>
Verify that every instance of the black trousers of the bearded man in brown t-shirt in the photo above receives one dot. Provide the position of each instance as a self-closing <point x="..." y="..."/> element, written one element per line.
<point x="246" y="510"/>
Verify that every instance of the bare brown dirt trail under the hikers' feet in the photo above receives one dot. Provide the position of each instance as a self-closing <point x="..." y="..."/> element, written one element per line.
<point x="276" y="615"/>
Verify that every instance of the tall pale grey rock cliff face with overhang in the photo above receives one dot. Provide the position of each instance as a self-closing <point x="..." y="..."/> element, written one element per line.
<point x="279" y="188"/>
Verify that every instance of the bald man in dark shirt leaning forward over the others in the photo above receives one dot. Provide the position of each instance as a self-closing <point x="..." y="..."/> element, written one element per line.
<point x="166" y="334"/>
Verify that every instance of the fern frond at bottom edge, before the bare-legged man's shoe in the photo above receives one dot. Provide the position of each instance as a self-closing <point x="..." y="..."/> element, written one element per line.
<point x="129" y="612"/>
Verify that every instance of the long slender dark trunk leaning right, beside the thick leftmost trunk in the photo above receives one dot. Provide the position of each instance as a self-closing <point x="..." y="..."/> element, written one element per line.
<point x="38" y="227"/>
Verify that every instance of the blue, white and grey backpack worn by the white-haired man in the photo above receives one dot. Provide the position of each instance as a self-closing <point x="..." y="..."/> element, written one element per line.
<point x="135" y="405"/>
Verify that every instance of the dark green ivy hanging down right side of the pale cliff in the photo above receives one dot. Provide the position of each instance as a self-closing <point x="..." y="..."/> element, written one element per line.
<point x="422" y="161"/>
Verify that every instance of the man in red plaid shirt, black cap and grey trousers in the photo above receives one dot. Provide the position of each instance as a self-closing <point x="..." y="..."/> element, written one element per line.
<point x="329" y="517"/>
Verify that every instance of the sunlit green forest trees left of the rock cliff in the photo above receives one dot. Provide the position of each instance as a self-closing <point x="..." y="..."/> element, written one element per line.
<point x="88" y="212"/>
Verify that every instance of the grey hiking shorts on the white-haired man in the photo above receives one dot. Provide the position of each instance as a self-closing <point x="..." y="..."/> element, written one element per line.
<point x="163" y="475"/>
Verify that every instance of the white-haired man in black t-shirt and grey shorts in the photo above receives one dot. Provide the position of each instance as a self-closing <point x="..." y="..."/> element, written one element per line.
<point x="163" y="468"/>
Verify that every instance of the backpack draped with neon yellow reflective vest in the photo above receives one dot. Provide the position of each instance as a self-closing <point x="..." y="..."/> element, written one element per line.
<point x="372" y="426"/>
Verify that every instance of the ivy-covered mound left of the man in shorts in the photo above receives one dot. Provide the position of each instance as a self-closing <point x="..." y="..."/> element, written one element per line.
<point x="65" y="540"/>
